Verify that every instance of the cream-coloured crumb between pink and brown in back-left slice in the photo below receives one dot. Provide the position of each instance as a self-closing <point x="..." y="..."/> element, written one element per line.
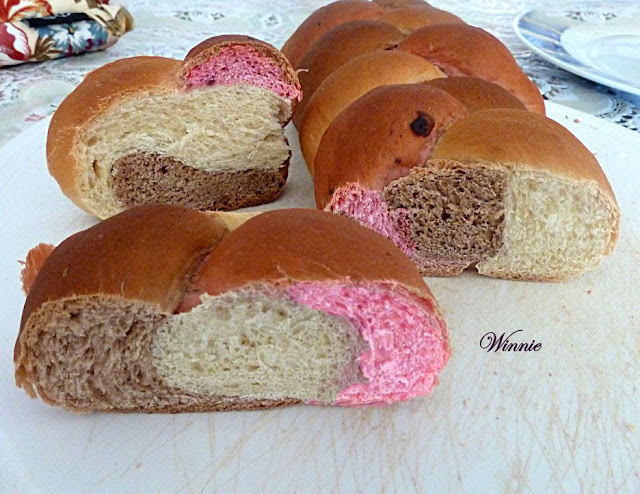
<point x="214" y="129"/>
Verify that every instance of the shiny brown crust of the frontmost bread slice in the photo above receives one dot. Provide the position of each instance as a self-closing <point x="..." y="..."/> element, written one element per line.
<point x="154" y="255"/>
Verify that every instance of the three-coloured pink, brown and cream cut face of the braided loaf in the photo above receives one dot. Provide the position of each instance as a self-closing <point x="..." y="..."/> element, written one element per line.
<point x="519" y="224"/>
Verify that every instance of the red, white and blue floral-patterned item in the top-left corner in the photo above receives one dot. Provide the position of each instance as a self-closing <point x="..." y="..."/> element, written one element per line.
<point x="38" y="30"/>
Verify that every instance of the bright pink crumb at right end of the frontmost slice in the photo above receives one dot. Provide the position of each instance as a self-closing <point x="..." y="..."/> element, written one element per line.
<point x="407" y="340"/>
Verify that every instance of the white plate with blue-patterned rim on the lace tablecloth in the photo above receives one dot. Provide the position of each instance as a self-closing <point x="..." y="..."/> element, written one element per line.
<point x="597" y="42"/>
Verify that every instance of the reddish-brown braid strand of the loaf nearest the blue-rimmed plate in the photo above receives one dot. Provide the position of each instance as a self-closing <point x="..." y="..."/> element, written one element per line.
<point x="463" y="50"/>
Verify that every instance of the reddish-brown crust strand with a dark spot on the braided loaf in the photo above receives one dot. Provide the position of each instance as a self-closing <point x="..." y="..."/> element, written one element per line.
<point x="376" y="150"/>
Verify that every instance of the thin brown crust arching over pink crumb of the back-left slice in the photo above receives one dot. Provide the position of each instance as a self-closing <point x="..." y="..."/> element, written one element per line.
<point x="211" y="47"/>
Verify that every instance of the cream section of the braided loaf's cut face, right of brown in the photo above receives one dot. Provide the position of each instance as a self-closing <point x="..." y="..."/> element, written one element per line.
<point x="554" y="228"/>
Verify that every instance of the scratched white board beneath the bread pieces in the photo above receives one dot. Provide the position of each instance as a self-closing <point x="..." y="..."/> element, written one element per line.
<point x="566" y="418"/>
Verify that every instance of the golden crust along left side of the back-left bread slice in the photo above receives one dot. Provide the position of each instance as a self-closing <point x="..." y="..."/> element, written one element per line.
<point x="93" y="96"/>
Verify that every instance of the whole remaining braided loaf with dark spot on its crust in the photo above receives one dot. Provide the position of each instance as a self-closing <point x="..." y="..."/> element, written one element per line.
<point x="445" y="159"/>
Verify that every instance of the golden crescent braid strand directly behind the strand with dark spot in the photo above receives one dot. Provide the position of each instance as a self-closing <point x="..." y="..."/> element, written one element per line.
<point x="348" y="83"/>
